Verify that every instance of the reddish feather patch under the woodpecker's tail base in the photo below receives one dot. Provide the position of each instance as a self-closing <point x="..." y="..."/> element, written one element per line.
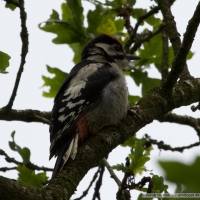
<point x="82" y="129"/>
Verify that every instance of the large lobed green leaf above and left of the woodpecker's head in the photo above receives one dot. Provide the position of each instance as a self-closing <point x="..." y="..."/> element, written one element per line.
<point x="70" y="29"/>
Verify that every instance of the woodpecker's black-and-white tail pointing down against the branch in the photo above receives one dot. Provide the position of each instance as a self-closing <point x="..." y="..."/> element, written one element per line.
<point x="68" y="149"/>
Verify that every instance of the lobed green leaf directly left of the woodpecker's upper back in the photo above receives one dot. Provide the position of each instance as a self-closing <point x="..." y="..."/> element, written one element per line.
<point x="55" y="82"/>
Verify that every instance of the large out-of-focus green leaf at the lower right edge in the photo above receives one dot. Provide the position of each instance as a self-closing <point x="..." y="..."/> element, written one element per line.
<point x="180" y="173"/>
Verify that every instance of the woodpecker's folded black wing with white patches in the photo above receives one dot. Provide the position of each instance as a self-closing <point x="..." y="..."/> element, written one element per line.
<point x="78" y="93"/>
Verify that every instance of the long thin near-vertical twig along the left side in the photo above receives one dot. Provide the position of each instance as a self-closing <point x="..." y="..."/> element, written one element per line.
<point x="24" y="51"/>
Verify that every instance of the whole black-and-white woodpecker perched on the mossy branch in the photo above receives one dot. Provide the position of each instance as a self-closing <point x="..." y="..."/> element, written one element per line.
<point x="92" y="96"/>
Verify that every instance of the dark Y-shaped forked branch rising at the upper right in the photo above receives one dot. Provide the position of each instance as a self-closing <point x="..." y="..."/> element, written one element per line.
<point x="181" y="51"/>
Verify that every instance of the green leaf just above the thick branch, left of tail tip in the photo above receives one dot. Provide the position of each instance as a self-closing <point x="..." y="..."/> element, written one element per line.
<point x="28" y="177"/>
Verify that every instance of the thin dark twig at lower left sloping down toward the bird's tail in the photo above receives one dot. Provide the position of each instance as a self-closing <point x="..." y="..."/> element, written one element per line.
<point x="29" y="165"/>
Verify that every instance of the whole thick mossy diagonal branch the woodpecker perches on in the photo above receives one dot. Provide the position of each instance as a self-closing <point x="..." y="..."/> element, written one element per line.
<point x="98" y="146"/>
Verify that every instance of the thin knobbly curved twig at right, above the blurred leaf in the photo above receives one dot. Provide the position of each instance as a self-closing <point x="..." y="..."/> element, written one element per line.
<point x="166" y="147"/>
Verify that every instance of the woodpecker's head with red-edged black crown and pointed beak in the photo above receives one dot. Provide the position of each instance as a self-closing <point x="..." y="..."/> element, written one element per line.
<point x="105" y="48"/>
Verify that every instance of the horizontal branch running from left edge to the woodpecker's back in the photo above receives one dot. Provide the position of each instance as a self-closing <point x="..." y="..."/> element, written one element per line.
<point x="25" y="115"/>
